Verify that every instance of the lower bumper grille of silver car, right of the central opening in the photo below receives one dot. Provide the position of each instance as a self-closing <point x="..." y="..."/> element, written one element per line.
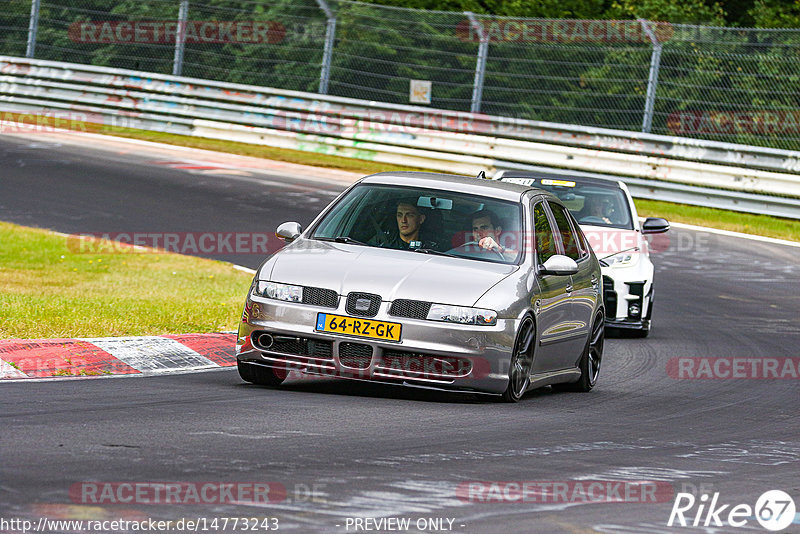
<point x="419" y="366"/>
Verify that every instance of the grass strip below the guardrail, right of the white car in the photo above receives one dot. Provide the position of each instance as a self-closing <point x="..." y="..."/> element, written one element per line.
<point x="747" y="223"/>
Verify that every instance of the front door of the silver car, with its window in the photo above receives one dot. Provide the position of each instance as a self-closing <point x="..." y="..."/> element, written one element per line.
<point x="553" y="316"/>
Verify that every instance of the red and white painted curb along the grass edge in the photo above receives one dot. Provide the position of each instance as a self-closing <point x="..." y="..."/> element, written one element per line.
<point x="85" y="357"/>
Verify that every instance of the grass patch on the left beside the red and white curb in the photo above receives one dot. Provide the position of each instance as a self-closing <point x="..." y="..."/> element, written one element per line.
<point x="49" y="291"/>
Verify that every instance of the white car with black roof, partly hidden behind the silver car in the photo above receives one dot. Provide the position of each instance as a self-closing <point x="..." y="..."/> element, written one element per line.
<point x="607" y="215"/>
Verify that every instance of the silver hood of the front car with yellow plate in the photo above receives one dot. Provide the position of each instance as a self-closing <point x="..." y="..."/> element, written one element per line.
<point x="389" y="273"/>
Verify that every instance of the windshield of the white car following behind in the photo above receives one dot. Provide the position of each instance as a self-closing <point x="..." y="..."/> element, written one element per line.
<point x="592" y="204"/>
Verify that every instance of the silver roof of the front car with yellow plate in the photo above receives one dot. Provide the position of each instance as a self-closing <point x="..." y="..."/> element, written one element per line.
<point x="453" y="182"/>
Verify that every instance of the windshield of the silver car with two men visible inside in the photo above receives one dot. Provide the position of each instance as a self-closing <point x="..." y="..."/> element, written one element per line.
<point x="427" y="221"/>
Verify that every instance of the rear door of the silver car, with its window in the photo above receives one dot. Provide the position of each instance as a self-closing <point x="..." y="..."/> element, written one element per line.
<point x="583" y="288"/>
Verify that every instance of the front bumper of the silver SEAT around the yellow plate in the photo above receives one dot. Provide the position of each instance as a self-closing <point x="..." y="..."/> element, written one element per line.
<point x="430" y="354"/>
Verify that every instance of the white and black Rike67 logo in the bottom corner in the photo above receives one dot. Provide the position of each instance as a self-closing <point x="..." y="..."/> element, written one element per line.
<point x="774" y="510"/>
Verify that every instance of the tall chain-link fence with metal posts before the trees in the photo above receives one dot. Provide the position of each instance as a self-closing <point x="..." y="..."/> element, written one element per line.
<point x="727" y="84"/>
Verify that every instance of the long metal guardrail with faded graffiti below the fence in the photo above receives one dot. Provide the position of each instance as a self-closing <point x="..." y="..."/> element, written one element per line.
<point x="670" y="168"/>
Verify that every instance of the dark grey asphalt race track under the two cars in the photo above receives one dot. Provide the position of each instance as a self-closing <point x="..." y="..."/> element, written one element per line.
<point x="349" y="450"/>
